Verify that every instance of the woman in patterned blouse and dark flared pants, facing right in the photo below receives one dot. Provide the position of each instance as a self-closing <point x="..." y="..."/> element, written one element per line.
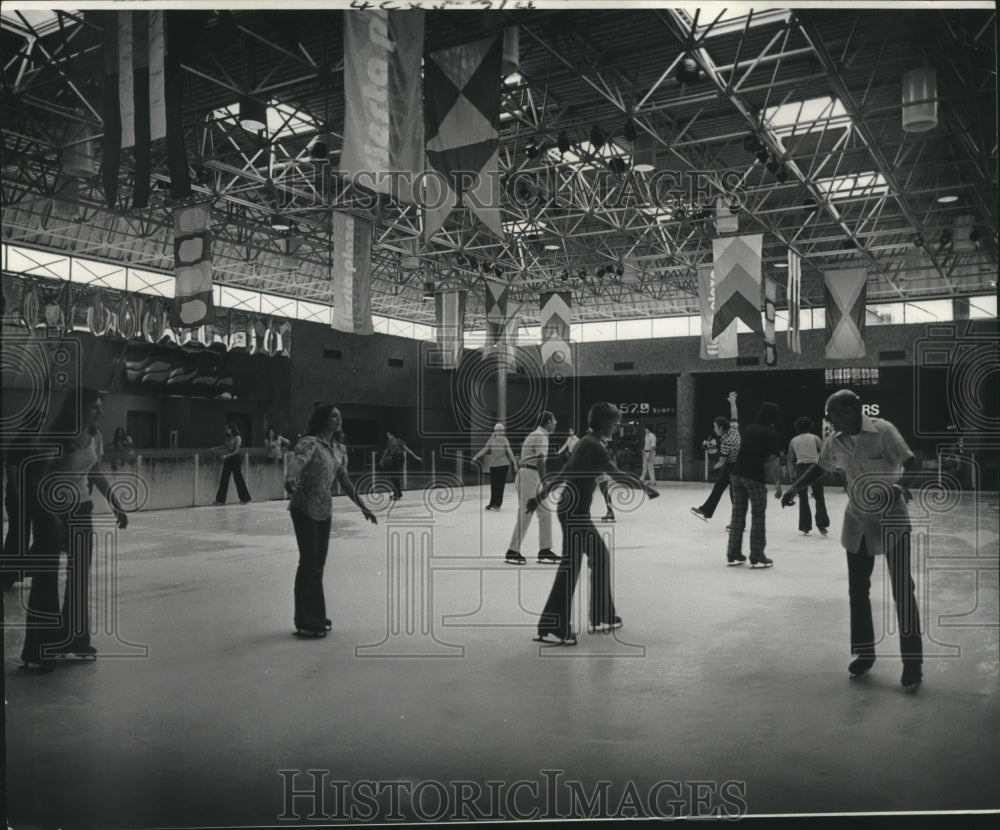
<point x="317" y="462"/>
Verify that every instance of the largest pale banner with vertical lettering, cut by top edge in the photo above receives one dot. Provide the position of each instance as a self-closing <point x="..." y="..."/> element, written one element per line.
<point x="383" y="123"/>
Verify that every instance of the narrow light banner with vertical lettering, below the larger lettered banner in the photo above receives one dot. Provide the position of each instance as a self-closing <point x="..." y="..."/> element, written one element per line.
<point x="352" y="253"/>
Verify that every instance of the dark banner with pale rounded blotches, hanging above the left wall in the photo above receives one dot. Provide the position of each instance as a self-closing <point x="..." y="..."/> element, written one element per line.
<point x="193" y="304"/>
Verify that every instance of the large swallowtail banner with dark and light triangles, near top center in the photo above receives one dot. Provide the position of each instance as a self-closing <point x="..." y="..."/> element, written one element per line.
<point x="462" y="127"/>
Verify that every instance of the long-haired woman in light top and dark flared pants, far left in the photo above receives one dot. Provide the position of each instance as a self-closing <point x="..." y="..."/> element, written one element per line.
<point x="61" y="511"/>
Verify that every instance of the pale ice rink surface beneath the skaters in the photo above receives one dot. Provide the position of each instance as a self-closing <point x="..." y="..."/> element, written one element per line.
<point x="726" y="690"/>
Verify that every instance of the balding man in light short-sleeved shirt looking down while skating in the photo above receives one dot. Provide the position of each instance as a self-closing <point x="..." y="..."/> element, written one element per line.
<point x="878" y="466"/>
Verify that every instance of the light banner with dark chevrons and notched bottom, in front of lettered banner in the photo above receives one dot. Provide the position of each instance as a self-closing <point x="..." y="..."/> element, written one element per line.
<point x="737" y="282"/>
